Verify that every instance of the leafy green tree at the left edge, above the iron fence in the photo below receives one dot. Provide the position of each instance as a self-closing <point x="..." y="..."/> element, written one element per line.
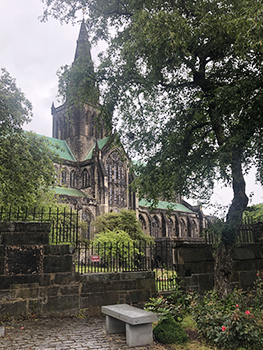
<point x="26" y="161"/>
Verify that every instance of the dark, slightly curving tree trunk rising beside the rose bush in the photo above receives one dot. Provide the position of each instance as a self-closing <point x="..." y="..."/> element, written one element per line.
<point x="223" y="267"/>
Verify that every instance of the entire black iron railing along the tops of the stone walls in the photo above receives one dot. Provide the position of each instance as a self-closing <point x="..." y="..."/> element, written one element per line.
<point x="158" y="257"/>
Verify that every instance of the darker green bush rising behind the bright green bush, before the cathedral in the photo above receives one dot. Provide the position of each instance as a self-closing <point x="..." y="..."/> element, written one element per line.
<point x="125" y="220"/>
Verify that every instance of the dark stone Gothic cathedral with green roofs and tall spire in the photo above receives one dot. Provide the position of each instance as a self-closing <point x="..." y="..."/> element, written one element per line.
<point x="94" y="176"/>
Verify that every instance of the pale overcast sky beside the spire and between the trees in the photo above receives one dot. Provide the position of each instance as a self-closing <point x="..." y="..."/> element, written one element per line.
<point x="33" y="51"/>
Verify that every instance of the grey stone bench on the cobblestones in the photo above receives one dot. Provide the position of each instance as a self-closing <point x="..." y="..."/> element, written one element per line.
<point x="136" y="323"/>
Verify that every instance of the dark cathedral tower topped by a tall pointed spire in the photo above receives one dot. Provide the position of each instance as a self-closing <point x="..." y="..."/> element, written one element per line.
<point x="77" y="120"/>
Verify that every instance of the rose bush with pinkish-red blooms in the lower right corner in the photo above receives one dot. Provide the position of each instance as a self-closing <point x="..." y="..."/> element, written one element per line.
<point x="231" y="323"/>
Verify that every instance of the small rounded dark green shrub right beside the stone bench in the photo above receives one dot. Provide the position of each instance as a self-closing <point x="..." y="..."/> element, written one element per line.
<point x="168" y="331"/>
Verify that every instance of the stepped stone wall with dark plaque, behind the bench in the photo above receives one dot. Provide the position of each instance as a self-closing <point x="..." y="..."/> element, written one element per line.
<point x="38" y="279"/>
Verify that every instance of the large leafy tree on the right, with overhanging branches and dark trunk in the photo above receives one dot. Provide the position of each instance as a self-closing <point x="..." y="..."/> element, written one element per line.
<point x="186" y="77"/>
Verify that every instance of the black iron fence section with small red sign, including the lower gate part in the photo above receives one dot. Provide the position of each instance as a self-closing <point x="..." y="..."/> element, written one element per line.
<point x="106" y="257"/>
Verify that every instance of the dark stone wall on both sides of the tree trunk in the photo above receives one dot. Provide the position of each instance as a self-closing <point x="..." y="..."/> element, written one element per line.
<point x="195" y="265"/>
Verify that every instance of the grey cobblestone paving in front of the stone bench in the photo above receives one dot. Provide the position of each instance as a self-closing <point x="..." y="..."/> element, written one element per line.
<point x="64" y="334"/>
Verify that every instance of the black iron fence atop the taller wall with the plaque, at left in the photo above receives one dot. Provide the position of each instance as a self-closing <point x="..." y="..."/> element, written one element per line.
<point x="64" y="221"/>
